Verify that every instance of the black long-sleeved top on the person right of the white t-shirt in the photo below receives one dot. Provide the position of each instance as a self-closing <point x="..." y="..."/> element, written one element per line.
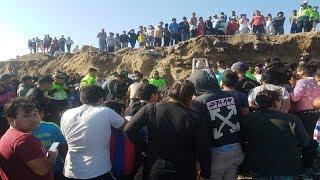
<point x="175" y="133"/>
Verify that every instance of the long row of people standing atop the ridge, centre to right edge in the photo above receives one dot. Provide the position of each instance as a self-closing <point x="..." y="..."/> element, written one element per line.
<point x="305" y="19"/>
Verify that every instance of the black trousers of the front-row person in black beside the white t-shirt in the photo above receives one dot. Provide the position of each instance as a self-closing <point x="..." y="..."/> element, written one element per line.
<point x="165" y="170"/>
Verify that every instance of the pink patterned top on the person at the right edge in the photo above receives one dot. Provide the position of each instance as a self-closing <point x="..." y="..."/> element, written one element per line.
<point x="304" y="93"/>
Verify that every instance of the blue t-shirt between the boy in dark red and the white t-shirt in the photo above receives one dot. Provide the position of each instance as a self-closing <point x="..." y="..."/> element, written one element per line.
<point x="47" y="133"/>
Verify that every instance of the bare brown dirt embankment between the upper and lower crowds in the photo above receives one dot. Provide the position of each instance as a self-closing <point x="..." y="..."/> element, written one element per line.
<point x="173" y="62"/>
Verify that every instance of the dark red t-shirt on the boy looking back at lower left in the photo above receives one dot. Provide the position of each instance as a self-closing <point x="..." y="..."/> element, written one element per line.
<point x="17" y="148"/>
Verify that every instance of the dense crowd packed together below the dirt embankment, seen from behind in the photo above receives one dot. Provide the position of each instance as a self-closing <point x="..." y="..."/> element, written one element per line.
<point x="221" y="122"/>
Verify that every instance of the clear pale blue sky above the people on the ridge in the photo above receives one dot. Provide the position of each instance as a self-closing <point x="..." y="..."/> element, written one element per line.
<point x="21" y="20"/>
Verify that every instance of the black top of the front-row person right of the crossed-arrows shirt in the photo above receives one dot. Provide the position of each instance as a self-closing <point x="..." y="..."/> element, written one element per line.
<point x="273" y="140"/>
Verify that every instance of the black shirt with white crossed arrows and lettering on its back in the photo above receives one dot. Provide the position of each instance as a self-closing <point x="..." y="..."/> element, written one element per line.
<point x="223" y="116"/>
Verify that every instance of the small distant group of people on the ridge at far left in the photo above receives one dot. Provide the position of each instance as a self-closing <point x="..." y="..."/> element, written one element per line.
<point x="50" y="45"/>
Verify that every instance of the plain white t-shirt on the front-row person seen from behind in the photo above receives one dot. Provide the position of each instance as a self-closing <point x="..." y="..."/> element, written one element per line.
<point x="87" y="130"/>
